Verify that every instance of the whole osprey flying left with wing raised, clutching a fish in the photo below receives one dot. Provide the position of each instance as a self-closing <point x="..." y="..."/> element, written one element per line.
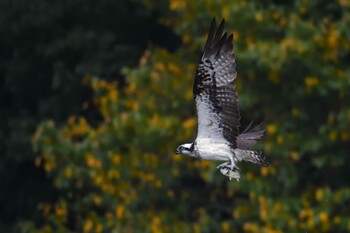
<point x="218" y="136"/>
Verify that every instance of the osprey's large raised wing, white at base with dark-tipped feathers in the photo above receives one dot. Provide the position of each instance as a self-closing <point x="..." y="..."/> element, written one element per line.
<point x="214" y="89"/>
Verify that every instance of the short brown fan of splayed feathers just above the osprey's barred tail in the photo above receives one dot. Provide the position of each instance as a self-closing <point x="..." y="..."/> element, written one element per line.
<point x="248" y="138"/>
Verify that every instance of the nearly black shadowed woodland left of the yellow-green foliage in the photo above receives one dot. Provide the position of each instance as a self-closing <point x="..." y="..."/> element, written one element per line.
<point x="47" y="48"/>
